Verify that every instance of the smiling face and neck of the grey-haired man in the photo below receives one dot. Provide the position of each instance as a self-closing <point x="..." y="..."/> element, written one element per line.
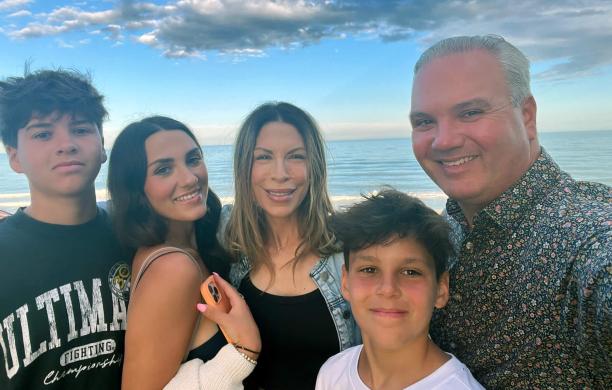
<point x="467" y="135"/>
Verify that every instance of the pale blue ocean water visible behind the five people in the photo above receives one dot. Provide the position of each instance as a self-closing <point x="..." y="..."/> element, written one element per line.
<point x="360" y="166"/>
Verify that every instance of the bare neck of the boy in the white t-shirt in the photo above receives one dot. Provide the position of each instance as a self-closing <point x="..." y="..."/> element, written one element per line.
<point x="399" y="367"/>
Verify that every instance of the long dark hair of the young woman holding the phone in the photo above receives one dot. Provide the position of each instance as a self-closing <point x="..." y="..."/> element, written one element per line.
<point x="136" y="222"/>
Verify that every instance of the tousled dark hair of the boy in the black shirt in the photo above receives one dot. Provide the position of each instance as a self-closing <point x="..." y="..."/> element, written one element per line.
<point x="41" y="93"/>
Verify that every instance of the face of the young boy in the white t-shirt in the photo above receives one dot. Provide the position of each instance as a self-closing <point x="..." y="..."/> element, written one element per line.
<point x="392" y="289"/>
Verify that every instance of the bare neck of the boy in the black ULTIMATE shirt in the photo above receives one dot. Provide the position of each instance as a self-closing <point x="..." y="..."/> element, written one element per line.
<point x="63" y="210"/>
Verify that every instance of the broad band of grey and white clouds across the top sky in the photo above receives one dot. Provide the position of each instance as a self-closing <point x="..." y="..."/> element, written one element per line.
<point x="578" y="33"/>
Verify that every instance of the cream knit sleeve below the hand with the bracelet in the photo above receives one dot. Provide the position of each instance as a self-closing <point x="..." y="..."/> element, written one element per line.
<point x="225" y="371"/>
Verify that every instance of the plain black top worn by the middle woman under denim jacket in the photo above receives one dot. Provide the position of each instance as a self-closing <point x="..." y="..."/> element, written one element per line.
<point x="297" y="336"/>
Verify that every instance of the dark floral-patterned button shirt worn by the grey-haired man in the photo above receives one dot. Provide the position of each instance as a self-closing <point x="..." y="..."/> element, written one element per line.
<point x="531" y="287"/>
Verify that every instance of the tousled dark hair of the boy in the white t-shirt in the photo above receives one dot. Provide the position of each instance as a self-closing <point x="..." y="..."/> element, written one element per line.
<point x="388" y="214"/>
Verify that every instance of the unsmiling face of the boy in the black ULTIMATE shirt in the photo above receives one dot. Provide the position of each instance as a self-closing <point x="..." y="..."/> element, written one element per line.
<point x="60" y="154"/>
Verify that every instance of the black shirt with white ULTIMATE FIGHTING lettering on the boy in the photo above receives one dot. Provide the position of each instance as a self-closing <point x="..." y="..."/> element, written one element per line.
<point x="63" y="304"/>
